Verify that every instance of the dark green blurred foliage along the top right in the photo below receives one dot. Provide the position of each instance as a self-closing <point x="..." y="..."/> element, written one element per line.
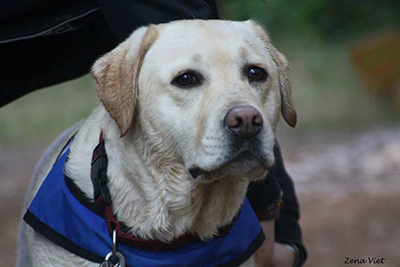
<point x="328" y="20"/>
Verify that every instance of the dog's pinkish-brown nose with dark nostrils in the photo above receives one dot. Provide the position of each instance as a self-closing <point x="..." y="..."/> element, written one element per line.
<point x="244" y="121"/>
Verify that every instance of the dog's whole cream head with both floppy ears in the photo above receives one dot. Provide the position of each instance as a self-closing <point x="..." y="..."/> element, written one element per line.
<point x="213" y="89"/>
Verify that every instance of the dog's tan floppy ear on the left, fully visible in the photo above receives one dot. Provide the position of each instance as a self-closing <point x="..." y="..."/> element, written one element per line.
<point x="116" y="76"/>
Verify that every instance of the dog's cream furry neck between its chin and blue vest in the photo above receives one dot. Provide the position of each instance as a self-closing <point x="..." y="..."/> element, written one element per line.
<point x="152" y="192"/>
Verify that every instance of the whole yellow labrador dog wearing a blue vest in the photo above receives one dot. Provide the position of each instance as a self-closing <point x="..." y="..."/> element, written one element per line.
<point x="187" y="119"/>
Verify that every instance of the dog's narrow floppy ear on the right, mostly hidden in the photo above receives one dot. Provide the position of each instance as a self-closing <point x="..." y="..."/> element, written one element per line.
<point x="287" y="108"/>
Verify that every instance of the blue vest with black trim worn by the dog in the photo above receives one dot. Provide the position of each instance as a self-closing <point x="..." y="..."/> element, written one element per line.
<point x="59" y="215"/>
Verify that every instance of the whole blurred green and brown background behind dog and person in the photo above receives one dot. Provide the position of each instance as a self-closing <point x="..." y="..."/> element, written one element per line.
<point x="344" y="154"/>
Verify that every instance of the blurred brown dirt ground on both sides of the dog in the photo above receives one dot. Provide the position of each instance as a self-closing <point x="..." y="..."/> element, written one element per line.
<point x="348" y="186"/>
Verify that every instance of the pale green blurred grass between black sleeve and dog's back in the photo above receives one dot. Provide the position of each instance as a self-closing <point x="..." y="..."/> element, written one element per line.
<point x="46" y="113"/>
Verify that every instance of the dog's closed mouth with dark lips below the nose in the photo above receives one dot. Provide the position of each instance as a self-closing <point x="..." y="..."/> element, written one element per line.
<point x="240" y="162"/>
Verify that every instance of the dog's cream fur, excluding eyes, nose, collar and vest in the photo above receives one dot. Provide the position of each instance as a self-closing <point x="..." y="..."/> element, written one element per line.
<point x="154" y="131"/>
